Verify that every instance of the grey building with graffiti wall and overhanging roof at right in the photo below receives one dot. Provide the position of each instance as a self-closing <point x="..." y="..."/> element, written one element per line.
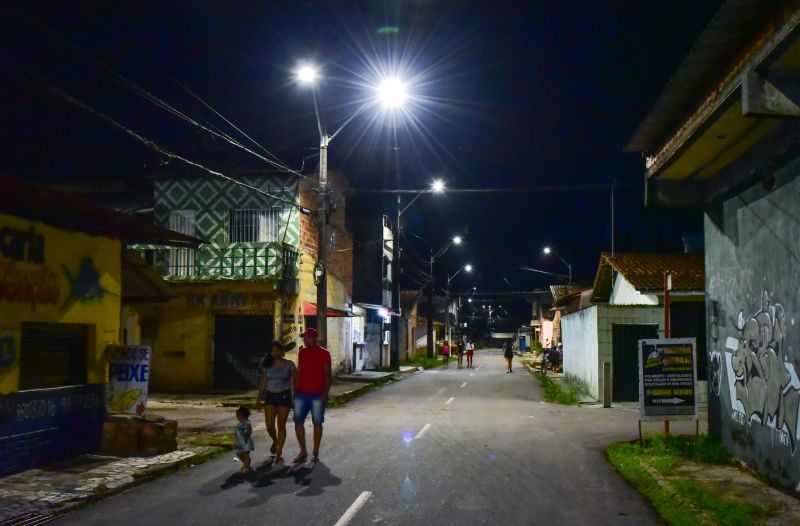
<point x="723" y="137"/>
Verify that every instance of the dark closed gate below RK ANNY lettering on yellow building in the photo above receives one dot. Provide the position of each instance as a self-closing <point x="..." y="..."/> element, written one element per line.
<point x="240" y="342"/>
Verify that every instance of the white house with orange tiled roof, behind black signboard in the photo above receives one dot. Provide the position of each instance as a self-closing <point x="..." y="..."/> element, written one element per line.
<point x="626" y="305"/>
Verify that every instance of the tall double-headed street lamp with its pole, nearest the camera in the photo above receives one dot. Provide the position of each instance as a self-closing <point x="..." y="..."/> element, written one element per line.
<point x="391" y="92"/>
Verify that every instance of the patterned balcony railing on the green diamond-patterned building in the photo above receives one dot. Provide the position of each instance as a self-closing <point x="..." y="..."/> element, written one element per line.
<point x="235" y="261"/>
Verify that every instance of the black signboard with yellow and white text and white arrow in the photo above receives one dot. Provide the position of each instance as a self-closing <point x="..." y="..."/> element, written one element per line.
<point x="668" y="379"/>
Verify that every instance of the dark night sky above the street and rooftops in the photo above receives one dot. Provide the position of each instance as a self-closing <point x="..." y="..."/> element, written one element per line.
<point x="505" y="95"/>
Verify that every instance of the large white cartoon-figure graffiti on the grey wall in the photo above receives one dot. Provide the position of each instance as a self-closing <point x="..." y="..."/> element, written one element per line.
<point x="763" y="385"/>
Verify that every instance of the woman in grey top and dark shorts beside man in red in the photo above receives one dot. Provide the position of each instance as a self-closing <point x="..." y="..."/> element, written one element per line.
<point x="275" y="391"/>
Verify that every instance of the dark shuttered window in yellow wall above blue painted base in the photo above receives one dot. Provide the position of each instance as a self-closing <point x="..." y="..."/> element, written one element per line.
<point x="52" y="355"/>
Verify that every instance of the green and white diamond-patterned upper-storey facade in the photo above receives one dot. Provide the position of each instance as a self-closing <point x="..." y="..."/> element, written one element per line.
<point x="211" y="199"/>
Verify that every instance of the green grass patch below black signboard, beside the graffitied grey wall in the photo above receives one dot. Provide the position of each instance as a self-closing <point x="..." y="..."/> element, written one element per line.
<point x="680" y="501"/>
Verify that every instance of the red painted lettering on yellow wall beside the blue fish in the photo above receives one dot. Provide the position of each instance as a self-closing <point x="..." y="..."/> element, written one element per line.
<point x="34" y="286"/>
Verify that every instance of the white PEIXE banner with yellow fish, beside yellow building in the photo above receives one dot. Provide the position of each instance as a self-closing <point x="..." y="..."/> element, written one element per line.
<point x="128" y="376"/>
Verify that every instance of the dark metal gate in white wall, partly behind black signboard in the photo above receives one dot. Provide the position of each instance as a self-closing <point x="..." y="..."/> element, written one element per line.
<point x="625" y="343"/>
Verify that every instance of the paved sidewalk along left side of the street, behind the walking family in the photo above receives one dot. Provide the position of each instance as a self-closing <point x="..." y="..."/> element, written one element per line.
<point x="205" y="424"/>
